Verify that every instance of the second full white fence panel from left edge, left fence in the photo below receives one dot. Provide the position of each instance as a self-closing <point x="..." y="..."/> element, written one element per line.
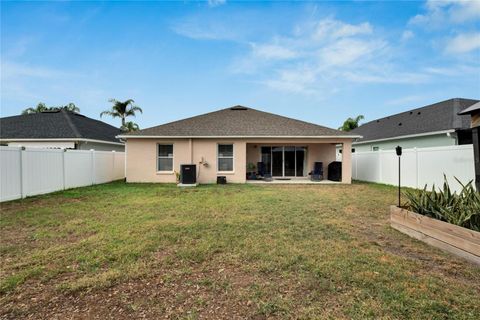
<point x="42" y="171"/>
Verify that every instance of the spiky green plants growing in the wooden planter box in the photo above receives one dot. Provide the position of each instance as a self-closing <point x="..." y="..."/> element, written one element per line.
<point x="462" y="209"/>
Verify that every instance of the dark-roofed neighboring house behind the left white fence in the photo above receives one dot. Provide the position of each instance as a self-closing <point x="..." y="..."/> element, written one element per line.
<point x="59" y="129"/>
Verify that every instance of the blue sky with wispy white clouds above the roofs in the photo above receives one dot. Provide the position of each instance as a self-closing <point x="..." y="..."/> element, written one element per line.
<point x="317" y="61"/>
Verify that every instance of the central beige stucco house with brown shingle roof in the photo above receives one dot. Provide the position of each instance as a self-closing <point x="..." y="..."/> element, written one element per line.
<point x="223" y="142"/>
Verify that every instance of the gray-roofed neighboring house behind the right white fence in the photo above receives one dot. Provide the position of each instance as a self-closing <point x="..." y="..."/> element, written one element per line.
<point x="434" y="125"/>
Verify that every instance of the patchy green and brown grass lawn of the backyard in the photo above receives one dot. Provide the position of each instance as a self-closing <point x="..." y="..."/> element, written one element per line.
<point x="235" y="251"/>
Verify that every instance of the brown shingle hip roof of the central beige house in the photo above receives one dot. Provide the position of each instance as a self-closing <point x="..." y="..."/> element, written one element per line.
<point x="238" y="121"/>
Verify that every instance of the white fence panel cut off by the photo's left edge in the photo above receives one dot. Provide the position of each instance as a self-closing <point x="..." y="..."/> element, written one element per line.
<point x="11" y="176"/>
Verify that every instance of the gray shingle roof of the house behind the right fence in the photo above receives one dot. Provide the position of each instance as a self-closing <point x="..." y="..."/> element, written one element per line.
<point x="439" y="116"/>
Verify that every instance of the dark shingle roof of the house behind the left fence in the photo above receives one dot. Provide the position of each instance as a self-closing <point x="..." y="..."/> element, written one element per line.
<point x="58" y="124"/>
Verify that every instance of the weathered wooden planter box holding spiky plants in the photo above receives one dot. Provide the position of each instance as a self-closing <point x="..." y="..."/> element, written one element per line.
<point x="454" y="239"/>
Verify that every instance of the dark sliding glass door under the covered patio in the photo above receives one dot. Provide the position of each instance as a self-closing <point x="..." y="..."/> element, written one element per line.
<point x="284" y="161"/>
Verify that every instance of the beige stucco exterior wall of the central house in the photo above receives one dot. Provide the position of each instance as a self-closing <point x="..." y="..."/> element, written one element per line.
<point x="142" y="157"/>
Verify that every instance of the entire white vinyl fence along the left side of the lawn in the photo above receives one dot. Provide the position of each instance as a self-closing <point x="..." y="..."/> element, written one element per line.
<point x="32" y="171"/>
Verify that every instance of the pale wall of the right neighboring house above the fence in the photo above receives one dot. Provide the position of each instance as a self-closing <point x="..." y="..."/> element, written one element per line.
<point x="439" y="140"/>
